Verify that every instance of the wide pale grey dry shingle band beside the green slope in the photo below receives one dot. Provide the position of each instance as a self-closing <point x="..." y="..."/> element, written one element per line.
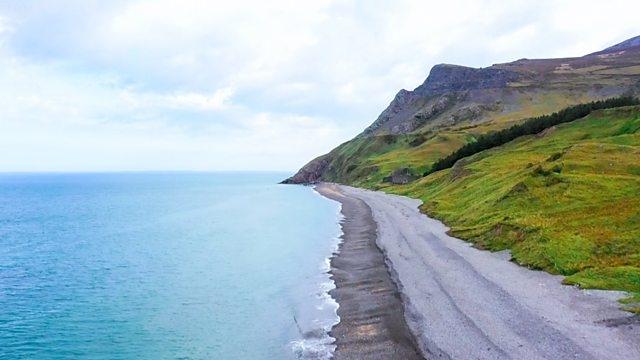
<point x="462" y="302"/>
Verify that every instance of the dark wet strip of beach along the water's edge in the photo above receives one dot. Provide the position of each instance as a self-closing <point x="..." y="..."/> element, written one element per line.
<point x="372" y="324"/>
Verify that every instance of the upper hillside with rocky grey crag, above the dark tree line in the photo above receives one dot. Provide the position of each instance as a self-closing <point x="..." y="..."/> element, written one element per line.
<point x="455" y="103"/>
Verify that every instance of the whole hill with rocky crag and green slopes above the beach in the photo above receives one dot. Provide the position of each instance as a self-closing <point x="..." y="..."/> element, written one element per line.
<point x="565" y="199"/>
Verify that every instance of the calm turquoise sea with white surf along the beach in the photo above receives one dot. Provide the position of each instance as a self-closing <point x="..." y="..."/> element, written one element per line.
<point x="164" y="266"/>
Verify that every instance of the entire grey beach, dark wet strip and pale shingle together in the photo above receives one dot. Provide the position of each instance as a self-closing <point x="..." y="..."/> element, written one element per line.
<point x="459" y="302"/>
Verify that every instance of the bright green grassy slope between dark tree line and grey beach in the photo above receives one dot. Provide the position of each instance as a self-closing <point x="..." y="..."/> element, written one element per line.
<point x="567" y="202"/>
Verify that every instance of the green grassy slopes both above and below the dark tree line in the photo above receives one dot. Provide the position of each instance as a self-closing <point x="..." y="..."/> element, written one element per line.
<point x="581" y="220"/>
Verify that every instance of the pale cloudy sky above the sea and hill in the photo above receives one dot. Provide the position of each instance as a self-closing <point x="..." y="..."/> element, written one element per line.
<point x="247" y="85"/>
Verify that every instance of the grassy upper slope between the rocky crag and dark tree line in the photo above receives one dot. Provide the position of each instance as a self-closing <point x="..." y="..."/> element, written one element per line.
<point x="366" y="162"/>
